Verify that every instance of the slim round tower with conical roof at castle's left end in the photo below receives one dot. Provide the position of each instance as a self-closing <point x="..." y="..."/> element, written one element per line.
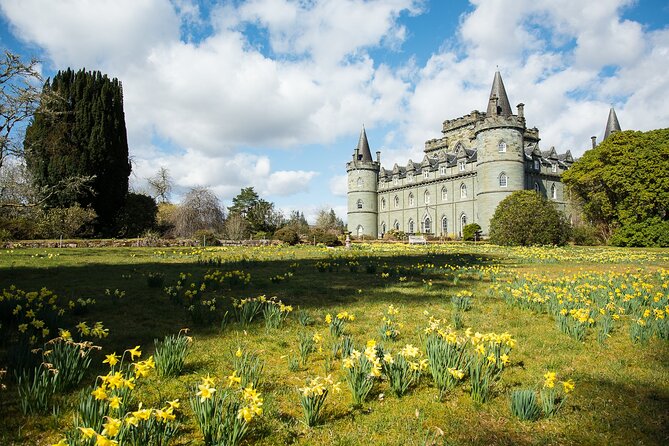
<point x="363" y="175"/>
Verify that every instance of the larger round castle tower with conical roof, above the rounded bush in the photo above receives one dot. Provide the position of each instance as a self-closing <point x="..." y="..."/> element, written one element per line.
<point x="500" y="153"/>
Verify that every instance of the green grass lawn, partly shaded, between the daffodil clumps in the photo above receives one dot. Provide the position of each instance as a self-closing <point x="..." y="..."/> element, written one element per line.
<point x="622" y="389"/>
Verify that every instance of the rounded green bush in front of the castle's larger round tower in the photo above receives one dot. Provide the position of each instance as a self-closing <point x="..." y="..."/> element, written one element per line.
<point x="527" y="218"/>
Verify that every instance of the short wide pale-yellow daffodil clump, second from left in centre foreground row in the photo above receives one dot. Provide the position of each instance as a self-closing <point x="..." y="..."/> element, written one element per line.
<point x="403" y="370"/>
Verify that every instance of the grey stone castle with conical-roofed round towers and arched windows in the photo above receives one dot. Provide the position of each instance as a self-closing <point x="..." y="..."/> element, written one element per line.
<point x="480" y="159"/>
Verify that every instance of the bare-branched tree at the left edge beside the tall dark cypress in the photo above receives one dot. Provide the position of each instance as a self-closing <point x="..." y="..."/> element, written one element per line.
<point x="19" y="97"/>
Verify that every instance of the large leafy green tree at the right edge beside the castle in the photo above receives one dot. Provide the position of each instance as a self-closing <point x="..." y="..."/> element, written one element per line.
<point x="623" y="187"/>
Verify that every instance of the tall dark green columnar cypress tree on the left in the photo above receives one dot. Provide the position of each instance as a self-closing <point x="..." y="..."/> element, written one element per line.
<point x="80" y="131"/>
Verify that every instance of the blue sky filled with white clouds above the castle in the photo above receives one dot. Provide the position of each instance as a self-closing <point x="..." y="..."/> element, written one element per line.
<point x="273" y="93"/>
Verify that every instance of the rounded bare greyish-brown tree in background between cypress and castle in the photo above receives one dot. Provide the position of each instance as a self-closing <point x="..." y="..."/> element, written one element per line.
<point x="199" y="210"/>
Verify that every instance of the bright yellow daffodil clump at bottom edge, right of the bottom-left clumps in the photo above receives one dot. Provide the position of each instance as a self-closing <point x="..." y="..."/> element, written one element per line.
<point x="225" y="414"/>
